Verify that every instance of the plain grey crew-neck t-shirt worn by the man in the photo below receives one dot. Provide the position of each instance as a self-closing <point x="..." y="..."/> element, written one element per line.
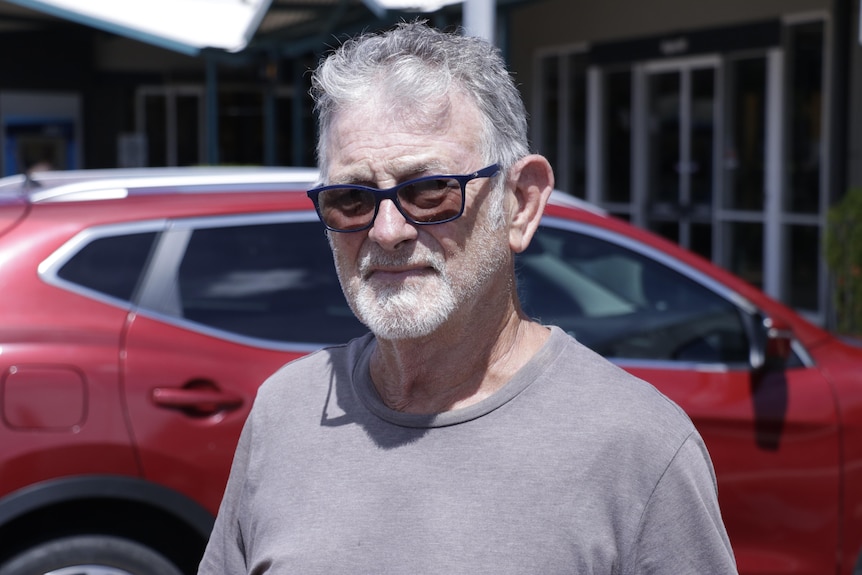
<point x="574" y="466"/>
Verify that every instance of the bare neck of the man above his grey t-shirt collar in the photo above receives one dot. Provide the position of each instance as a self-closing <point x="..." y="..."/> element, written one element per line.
<point x="449" y="370"/>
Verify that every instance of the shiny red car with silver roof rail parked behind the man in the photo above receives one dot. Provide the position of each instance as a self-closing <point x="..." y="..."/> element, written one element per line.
<point x="140" y="310"/>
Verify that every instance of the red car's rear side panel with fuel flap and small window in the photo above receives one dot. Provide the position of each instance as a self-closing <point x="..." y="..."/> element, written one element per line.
<point x="61" y="318"/>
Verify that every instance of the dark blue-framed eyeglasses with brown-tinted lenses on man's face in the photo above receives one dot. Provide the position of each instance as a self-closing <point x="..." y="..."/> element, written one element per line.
<point x="423" y="201"/>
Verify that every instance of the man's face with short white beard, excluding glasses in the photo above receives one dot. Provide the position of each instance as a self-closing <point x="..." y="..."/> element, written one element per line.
<point x="402" y="280"/>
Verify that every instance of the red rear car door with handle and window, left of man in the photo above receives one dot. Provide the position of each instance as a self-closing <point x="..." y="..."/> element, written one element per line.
<point x="226" y="302"/>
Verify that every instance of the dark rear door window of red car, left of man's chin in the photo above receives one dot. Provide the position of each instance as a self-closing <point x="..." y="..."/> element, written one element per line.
<point x="271" y="281"/>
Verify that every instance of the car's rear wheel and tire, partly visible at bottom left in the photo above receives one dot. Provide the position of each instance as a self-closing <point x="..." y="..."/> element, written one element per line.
<point x="90" y="555"/>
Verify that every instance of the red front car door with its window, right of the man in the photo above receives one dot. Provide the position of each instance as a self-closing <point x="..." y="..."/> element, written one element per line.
<point x="772" y="434"/>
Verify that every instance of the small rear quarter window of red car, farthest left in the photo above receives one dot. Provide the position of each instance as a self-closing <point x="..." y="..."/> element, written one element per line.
<point x="110" y="265"/>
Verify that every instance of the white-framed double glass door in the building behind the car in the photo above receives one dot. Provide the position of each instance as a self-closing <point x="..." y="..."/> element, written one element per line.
<point x="680" y="153"/>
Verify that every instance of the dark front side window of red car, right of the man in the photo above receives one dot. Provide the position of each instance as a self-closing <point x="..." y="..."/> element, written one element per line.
<point x="625" y="305"/>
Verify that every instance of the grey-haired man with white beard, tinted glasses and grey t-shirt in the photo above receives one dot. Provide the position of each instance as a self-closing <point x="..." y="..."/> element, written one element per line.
<point x="459" y="436"/>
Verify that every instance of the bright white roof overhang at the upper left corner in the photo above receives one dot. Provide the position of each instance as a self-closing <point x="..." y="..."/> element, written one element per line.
<point x="186" y="26"/>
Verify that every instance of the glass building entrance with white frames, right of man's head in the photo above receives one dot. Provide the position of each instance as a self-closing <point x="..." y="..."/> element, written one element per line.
<point x="712" y="139"/>
